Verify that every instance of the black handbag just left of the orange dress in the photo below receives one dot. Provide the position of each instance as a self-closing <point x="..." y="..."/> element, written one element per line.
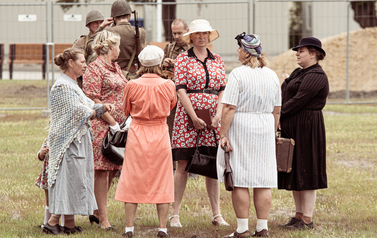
<point x="113" y="145"/>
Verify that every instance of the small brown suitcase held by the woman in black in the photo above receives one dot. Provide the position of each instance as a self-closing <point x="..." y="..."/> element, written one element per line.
<point x="284" y="153"/>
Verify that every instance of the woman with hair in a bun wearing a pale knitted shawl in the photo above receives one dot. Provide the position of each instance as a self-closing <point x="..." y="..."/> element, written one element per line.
<point x="70" y="169"/>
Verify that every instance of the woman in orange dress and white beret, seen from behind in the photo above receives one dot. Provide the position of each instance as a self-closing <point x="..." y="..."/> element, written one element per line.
<point x="147" y="174"/>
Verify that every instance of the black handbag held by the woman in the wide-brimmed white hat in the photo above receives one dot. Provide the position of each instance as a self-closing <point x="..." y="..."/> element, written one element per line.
<point x="202" y="164"/>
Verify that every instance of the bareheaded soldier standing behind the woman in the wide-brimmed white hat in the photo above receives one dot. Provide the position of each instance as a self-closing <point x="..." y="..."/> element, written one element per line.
<point x="171" y="51"/>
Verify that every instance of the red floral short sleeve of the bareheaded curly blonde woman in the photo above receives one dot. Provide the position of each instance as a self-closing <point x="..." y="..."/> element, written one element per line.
<point x="92" y="82"/>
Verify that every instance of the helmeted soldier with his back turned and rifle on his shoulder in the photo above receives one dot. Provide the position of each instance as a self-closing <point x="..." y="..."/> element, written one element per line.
<point x="121" y="14"/>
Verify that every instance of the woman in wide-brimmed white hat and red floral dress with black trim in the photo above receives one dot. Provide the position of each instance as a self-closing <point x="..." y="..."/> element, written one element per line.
<point x="195" y="70"/>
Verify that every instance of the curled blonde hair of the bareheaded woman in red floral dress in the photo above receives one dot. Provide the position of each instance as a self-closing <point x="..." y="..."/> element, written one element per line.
<point x="103" y="41"/>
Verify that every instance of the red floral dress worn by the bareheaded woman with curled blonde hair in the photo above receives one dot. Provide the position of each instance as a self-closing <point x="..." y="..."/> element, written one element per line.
<point x="106" y="83"/>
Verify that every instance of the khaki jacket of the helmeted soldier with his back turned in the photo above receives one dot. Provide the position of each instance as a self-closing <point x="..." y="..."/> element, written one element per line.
<point x="127" y="42"/>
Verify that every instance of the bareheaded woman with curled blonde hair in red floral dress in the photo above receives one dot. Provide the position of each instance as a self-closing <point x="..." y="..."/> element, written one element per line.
<point x="104" y="82"/>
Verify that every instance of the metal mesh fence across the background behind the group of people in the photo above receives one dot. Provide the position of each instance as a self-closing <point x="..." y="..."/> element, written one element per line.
<point x="280" y="24"/>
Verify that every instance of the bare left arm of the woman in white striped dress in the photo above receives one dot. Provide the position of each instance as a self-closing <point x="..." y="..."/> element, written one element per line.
<point x="226" y="118"/>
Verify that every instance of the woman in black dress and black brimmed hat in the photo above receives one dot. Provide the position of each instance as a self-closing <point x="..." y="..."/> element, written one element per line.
<point x="304" y="95"/>
